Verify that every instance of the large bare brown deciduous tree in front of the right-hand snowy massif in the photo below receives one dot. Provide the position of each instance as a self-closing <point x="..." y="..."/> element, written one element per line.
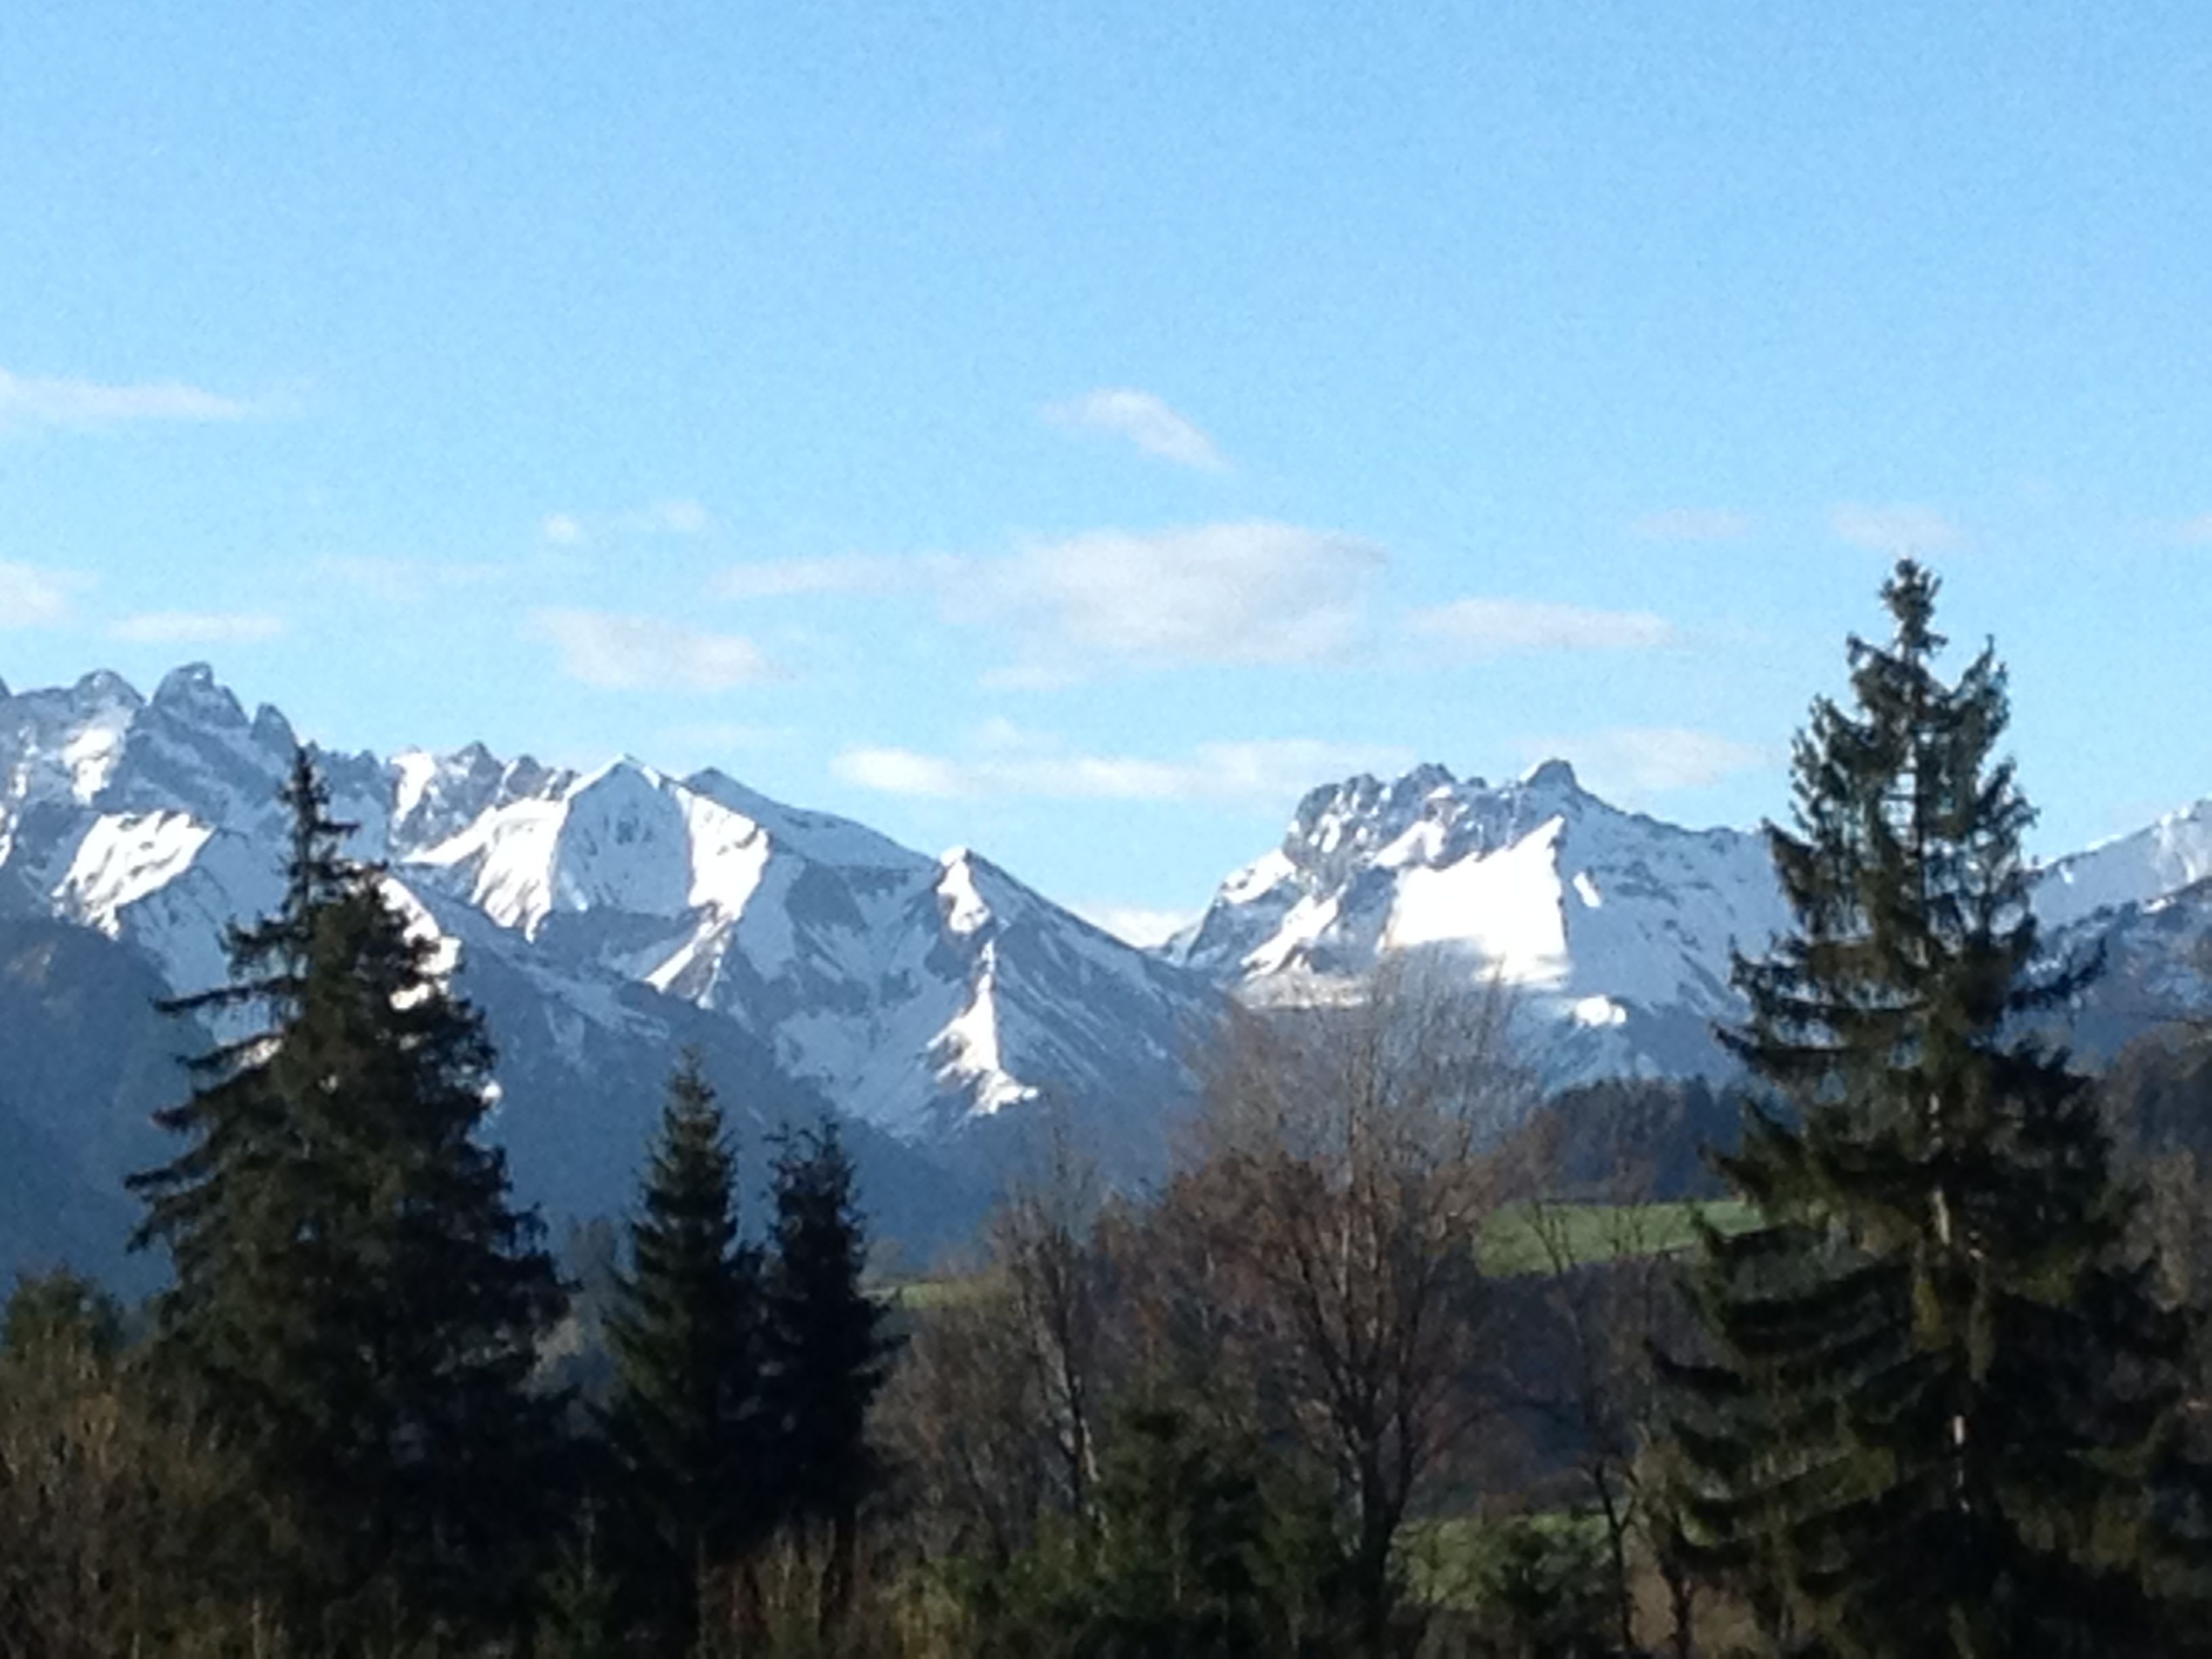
<point x="1344" y="1185"/>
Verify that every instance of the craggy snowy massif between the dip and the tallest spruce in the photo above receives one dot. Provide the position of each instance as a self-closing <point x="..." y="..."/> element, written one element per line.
<point x="1611" y="930"/>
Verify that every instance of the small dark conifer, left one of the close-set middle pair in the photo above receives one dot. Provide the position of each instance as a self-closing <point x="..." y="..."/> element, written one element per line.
<point x="687" y="1410"/>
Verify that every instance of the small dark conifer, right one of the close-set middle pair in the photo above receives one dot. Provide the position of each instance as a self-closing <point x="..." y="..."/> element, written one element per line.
<point x="828" y="1355"/>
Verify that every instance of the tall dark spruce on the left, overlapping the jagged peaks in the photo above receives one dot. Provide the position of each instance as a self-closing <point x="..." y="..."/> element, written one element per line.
<point x="355" y="1302"/>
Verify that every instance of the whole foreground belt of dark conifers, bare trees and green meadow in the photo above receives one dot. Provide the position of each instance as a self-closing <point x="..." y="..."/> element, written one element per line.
<point x="1392" y="1361"/>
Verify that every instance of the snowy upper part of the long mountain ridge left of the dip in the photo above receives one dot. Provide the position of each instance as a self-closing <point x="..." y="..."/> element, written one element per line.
<point x="915" y="992"/>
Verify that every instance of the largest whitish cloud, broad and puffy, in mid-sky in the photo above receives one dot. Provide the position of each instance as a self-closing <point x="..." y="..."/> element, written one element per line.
<point x="1218" y="594"/>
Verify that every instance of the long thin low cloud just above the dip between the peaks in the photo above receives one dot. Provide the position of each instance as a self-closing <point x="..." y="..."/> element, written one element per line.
<point x="1266" y="773"/>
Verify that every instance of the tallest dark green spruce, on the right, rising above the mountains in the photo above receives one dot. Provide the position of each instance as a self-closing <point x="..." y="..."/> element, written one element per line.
<point x="1939" y="1395"/>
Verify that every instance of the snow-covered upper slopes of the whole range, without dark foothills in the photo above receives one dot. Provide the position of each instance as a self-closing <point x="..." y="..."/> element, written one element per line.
<point x="921" y="992"/>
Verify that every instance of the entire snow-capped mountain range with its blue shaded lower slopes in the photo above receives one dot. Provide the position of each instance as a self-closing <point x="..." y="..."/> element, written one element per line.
<point x="946" y="1012"/>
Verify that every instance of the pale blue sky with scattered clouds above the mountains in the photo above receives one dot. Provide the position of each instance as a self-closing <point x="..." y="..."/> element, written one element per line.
<point x="1076" y="430"/>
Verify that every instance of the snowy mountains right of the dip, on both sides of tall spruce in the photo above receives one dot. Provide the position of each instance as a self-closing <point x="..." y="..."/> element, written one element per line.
<point x="1616" y="932"/>
